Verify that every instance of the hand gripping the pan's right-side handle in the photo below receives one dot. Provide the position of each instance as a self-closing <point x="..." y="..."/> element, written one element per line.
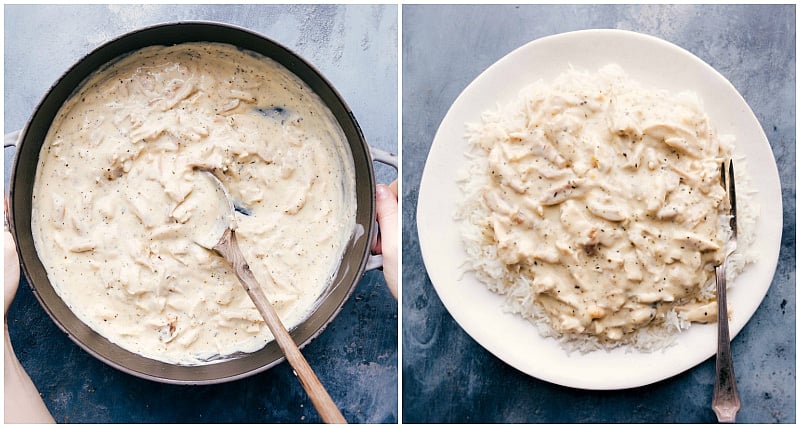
<point x="386" y="198"/>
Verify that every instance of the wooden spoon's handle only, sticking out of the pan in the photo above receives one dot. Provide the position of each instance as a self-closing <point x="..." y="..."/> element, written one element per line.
<point x="327" y="409"/>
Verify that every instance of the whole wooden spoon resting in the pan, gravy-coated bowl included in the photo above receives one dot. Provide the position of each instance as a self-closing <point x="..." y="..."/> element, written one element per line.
<point x="214" y="229"/>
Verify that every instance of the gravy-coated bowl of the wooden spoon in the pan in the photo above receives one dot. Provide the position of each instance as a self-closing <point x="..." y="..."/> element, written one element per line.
<point x="213" y="215"/>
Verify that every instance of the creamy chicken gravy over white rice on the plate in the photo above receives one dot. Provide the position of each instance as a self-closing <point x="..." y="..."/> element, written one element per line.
<point x="595" y="206"/>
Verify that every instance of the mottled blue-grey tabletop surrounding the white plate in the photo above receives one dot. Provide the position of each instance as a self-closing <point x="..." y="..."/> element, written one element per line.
<point x="447" y="376"/>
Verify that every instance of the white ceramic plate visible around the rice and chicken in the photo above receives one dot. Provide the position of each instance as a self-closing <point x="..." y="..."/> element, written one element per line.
<point x="653" y="62"/>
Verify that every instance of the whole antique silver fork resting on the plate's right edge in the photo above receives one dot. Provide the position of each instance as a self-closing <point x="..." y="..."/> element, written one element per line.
<point x="726" y="397"/>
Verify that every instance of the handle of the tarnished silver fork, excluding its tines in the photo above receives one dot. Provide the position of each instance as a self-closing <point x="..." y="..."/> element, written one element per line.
<point x="726" y="397"/>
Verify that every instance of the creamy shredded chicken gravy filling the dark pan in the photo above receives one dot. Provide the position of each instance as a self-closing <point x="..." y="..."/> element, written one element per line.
<point x="116" y="189"/>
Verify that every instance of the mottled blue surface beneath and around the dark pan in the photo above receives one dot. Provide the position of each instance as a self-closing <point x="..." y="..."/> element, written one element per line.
<point x="355" y="47"/>
